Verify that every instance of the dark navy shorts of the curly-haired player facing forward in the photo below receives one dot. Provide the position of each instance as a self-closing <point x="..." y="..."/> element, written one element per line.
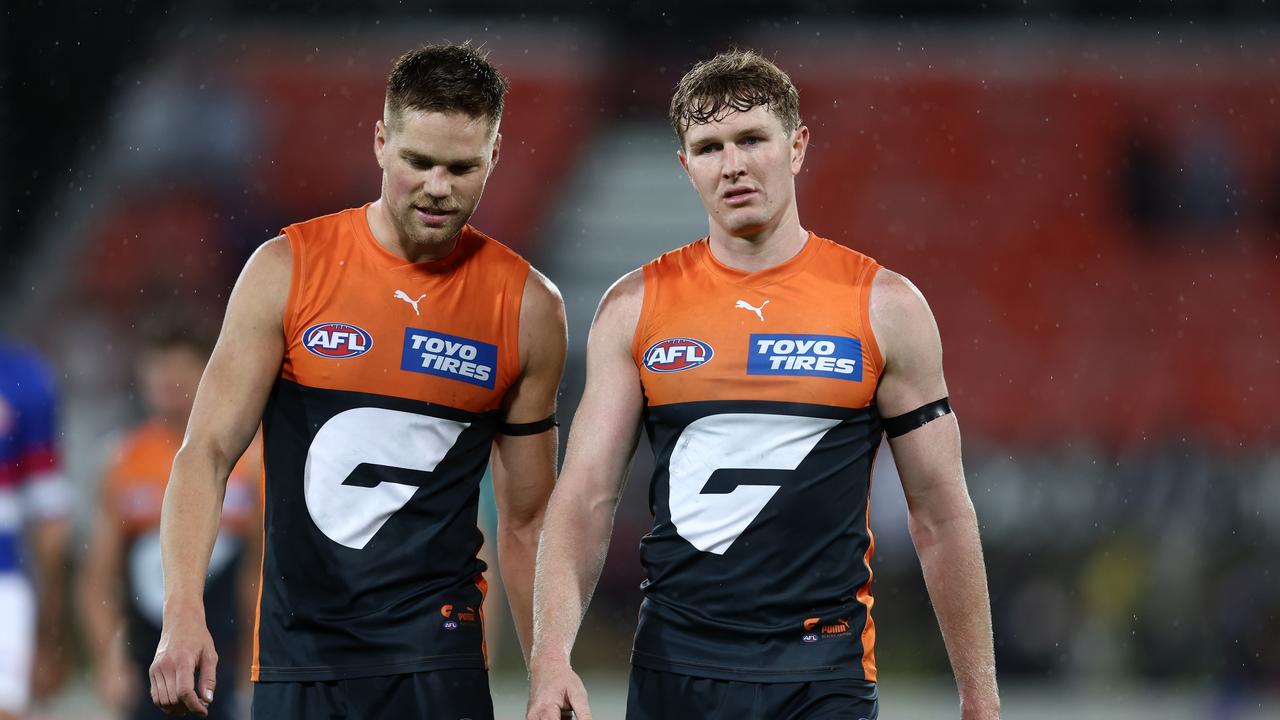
<point x="668" y="696"/>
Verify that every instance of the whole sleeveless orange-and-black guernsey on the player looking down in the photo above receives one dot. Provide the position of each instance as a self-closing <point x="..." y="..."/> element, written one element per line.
<point x="377" y="436"/>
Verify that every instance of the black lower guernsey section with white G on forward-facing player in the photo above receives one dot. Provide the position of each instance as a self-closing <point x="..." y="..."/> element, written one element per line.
<point x="760" y="540"/>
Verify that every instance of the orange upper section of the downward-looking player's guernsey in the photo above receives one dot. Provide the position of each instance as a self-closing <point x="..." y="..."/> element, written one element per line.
<point x="359" y="316"/>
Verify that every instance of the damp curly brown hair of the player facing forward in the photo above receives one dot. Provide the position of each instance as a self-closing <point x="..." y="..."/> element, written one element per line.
<point x="738" y="80"/>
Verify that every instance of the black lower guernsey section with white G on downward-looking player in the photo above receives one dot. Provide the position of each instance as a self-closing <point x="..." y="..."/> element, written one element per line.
<point x="371" y="553"/>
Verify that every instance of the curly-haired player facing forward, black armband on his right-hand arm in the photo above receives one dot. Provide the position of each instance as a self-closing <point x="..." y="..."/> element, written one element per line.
<point x="765" y="363"/>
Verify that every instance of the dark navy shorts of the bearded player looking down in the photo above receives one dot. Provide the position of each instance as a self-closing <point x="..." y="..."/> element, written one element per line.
<point x="436" y="695"/>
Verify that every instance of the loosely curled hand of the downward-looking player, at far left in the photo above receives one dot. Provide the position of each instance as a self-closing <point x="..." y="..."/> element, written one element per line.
<point x="186" y="649"/>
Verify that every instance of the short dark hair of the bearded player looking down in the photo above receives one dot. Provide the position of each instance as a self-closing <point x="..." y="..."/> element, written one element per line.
<point x="446" y="79"/>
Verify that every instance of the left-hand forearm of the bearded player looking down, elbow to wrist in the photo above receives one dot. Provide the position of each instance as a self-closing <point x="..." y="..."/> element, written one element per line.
<point x="189" y="526"/>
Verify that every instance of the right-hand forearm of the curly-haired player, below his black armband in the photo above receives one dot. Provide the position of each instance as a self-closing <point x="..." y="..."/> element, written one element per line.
<point x="956" y="576"/>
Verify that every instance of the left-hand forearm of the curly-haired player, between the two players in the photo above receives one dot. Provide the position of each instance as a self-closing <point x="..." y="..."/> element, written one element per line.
<point x="570" y="558"/>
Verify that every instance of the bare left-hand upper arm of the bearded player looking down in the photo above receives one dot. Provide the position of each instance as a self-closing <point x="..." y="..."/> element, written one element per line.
<point x="248" y="357"/>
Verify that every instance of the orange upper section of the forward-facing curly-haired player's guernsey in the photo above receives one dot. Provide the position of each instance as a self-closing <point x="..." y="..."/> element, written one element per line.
<point x="822" y="293"/>
